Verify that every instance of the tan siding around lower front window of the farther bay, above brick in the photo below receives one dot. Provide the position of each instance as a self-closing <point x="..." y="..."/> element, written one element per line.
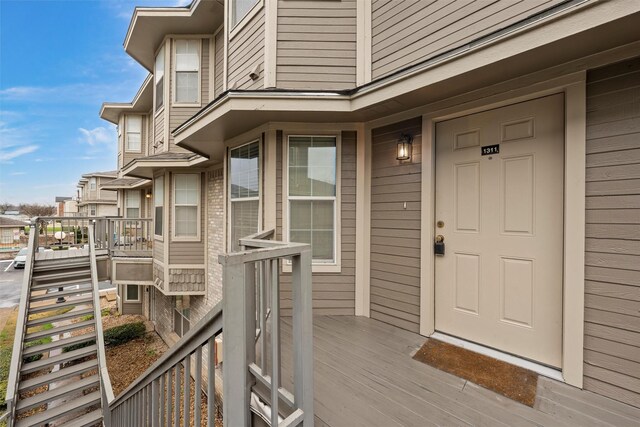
<point x="189" y="253"/>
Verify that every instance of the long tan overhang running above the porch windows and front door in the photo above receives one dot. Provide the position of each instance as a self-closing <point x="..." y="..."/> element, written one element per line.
<point x="549" y="43"/>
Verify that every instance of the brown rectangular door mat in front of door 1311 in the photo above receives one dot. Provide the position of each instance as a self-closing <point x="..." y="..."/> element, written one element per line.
<point x="511" y="381"/>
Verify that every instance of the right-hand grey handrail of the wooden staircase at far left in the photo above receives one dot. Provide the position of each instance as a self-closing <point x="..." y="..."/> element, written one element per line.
<point x="105" y="382"/>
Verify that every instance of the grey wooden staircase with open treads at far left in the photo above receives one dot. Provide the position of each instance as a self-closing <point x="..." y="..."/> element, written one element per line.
<point x="59" y="371"/>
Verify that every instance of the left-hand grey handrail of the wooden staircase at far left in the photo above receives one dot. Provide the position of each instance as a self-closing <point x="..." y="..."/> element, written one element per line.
<point x="21" y="323"/>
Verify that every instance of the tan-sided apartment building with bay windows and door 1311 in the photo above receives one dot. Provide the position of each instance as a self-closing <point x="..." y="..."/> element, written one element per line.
<point x="507" y="132"/>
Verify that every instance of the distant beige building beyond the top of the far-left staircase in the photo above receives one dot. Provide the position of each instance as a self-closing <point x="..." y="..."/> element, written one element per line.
<point x="94" y="201"/>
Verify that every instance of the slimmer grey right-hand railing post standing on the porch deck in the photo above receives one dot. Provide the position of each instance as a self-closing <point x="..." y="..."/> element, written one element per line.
<point x="303" y="334"/>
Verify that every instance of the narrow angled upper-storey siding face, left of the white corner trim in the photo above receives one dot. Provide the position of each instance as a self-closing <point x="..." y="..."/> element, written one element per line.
<point x="246" y="51"/>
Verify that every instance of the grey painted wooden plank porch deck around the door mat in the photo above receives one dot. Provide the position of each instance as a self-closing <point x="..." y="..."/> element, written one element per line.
<point x="365" y="376"/>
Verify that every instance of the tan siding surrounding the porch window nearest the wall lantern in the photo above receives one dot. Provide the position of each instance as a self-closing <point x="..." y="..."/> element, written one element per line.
<point x="333" y="293"/>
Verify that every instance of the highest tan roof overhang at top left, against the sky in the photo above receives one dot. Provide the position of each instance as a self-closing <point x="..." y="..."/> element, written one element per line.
<point x="150" y="25"/>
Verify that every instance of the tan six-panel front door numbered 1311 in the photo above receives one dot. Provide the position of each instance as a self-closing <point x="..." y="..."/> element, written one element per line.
<point x="499" y="207"/>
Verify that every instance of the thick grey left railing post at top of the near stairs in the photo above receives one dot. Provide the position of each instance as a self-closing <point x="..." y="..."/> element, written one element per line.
<point x="239" y="333"/>
